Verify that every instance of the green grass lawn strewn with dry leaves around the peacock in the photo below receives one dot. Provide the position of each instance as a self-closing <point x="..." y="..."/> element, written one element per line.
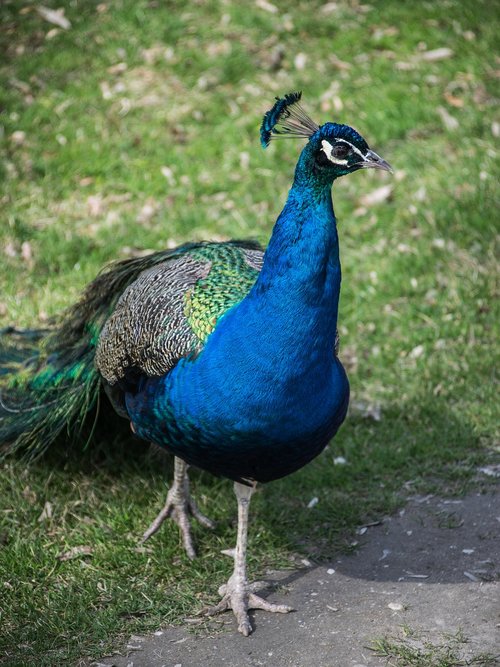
<point x="137" y="128"/>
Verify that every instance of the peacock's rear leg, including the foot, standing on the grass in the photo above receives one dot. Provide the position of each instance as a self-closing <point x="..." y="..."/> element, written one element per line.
<point x="179" y="505"/>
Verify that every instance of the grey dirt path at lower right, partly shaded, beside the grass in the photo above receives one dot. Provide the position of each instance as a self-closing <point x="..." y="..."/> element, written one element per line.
<point x="421" y="587"/>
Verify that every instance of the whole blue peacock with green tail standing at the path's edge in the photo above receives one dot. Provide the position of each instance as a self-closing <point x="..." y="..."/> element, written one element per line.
<point x="221" y="353"/>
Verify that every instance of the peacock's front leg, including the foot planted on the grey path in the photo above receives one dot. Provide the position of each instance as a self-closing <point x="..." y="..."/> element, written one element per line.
<point x="238" y="594"/>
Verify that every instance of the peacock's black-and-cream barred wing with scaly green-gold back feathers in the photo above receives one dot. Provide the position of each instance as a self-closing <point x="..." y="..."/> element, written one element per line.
<point x="171" y="308"/>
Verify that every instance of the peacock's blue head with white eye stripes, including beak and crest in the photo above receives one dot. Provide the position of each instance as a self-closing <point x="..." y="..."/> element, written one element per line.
<point x="333" y="150"/>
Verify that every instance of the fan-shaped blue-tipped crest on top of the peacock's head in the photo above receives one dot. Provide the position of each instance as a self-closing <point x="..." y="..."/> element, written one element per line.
<point x="286" y="119"/>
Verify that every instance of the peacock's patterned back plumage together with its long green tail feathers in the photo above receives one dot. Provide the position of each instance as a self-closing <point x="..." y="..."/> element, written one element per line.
<point x="49" y="379"/>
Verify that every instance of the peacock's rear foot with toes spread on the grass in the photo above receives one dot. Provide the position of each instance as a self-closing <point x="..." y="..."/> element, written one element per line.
<point x="179" y="507"/>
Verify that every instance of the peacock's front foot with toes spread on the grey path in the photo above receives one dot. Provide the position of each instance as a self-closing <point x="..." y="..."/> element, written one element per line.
<point x="240" y="597"/>
